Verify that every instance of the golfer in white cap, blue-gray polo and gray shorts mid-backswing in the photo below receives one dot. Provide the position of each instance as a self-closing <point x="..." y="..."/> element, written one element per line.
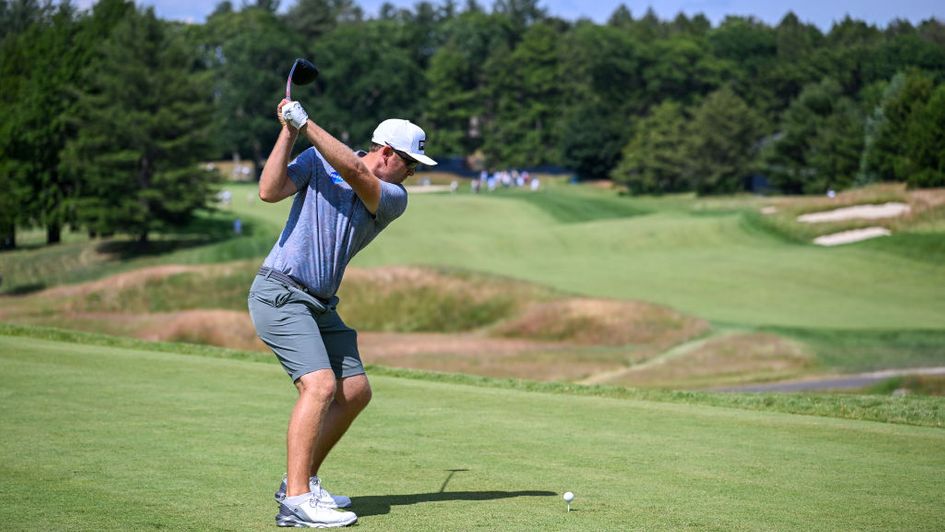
<point x="342" y="201"/>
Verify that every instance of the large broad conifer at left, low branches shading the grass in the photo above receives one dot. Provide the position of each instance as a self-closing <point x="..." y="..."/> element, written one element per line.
<point x="145" y="178"/>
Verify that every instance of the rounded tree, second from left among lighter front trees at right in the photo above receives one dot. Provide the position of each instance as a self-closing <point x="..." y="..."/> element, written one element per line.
<point x="722" y="141"/>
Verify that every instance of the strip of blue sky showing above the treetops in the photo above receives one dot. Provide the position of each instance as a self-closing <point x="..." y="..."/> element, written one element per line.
<point x="820" y="12"/>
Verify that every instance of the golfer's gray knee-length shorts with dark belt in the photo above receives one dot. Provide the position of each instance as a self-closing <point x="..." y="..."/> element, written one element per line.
<point x="305" y="334"/>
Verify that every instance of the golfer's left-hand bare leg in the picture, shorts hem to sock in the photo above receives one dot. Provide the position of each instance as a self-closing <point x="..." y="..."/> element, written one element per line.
<point x="316" y="391"/>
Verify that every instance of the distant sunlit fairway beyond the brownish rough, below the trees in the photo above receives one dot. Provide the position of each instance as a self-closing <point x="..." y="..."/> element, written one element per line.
<point x="711" y="263"/>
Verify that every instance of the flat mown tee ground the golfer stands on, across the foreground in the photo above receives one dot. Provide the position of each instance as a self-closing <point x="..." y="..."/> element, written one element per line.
<point x="98" y="437"/>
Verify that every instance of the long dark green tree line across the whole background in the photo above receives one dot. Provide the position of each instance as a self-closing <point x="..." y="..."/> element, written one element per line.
<point x="108" y="111"/>
